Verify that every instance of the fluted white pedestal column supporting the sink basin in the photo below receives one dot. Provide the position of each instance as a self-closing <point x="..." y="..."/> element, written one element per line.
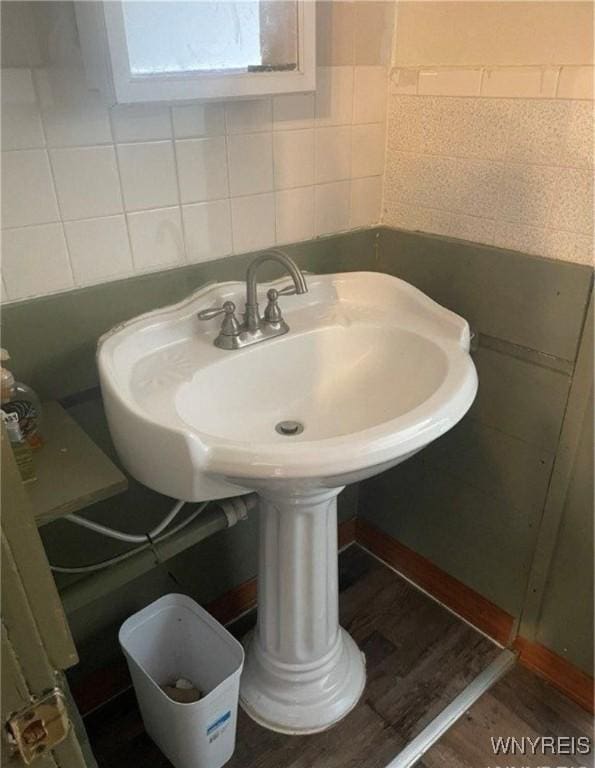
<point x="303" y="672"/>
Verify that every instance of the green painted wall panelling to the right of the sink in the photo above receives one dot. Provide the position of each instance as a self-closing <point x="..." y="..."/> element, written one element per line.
<point x="473" y="501"/>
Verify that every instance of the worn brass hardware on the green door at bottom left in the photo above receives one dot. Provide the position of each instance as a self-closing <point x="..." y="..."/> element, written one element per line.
<point x="38" y="728"/>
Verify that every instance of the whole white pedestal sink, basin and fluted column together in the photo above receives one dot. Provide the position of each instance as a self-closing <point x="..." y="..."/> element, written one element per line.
<point x="371" y="371"/>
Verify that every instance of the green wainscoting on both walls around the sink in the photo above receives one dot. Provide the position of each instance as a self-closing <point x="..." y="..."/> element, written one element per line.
<point x="472" y="502"/>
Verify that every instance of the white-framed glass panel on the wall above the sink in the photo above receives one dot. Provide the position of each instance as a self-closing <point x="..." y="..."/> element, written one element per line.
<point x="200" y="49"/>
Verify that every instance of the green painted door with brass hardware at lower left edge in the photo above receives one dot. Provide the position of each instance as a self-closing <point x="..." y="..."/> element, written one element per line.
<point x="41" y="725"/>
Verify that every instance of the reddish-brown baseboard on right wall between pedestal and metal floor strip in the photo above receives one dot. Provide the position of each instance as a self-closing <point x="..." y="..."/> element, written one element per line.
<point x="460" y="598"/>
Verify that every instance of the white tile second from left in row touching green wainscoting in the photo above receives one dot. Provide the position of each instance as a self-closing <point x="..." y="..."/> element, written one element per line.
<point x="99" y="249"/>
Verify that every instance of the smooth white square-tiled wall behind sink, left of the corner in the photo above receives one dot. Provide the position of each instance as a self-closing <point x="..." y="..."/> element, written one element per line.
<point x="146" y="187"/>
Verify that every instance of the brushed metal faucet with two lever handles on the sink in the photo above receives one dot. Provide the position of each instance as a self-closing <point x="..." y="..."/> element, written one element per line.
<point x="235" y="335"/>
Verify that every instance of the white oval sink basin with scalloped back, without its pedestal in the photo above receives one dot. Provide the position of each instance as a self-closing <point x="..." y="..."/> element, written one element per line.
<point x="373" y="368"/>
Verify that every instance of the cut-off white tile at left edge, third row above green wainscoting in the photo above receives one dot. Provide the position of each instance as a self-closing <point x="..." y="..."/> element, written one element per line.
<point x="21" y="119"/>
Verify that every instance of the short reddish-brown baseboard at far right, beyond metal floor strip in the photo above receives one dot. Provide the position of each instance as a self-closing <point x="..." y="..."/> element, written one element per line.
<point x="573" y="682"/>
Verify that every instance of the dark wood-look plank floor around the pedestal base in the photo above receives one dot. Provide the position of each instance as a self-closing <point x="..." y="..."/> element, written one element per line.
<point x="419" y="657"/>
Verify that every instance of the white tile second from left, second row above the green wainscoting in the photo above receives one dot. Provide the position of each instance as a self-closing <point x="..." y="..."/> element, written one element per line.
<point x="86" y="181"/>
